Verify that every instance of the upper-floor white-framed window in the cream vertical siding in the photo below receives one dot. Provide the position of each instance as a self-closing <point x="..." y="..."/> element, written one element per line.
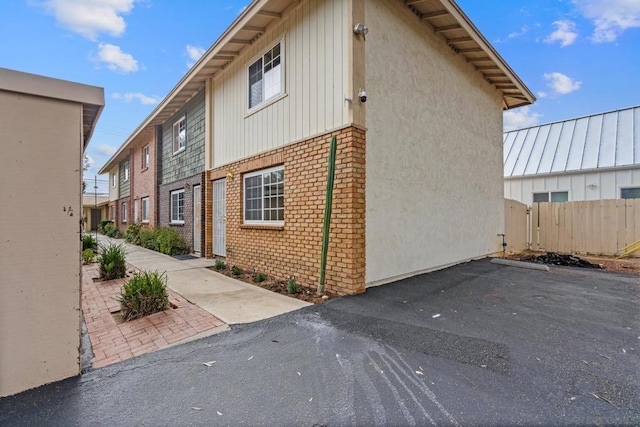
<point x="265" y="76"/>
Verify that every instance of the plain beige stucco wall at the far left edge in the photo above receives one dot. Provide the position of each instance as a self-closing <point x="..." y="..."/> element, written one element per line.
<point x="40" y="184"/>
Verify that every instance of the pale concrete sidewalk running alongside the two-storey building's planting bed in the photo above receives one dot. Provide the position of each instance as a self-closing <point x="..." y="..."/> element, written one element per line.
<point x="231" y="301"/>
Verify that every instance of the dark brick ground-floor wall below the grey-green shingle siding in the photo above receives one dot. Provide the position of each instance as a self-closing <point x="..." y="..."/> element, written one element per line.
<point x="164" y="206"/>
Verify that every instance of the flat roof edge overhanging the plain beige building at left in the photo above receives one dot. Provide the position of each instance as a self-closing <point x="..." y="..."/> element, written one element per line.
<point x="90" y="97"/>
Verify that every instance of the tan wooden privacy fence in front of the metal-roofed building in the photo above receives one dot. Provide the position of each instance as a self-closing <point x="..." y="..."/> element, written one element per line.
<point x="588" y="227"/>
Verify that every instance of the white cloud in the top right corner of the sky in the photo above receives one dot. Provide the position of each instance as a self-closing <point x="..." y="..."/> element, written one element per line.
<point x="610" y="17"/>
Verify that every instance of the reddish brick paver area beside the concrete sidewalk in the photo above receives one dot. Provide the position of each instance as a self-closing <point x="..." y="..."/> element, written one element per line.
<point x="113" y="342"/>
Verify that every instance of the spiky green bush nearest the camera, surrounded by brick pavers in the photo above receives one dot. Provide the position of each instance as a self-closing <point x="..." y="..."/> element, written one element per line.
<point x="145" y="294"/>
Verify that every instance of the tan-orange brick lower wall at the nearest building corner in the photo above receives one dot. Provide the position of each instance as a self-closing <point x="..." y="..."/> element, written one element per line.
<point x="295" y="248"/>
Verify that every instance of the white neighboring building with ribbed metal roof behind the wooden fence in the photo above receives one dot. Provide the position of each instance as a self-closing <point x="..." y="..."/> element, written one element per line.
<point x="587" y="158"/>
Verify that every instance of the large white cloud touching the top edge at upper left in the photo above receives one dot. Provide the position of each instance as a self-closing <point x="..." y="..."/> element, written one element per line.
<point x="90" y="17"/>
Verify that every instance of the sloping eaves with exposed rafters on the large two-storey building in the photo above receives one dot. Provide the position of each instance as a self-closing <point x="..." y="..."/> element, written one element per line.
<point x="443" y="16"/>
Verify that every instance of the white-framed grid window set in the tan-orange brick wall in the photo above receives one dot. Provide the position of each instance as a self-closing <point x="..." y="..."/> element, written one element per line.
<point x="264" y="197"/>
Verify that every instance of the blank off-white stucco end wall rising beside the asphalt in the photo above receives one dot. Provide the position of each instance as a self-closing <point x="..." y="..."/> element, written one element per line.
<point x="434" y="185"/>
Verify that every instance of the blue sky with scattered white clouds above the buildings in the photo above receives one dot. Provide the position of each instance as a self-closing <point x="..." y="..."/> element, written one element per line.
<point x="578" y="57"/>
